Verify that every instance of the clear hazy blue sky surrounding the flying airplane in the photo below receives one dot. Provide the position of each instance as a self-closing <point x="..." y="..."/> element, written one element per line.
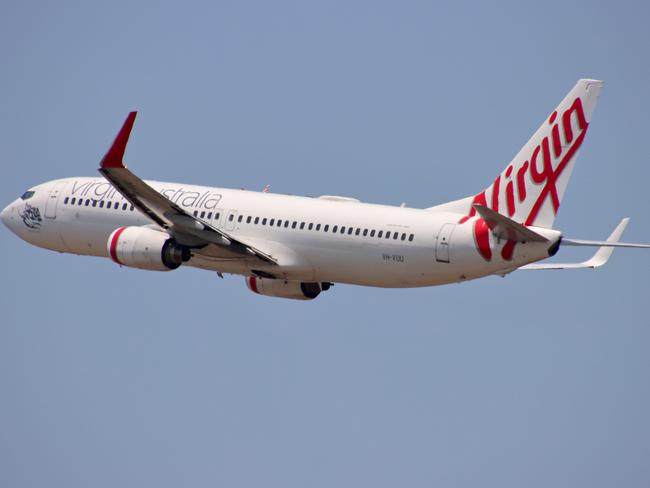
<point x="118" y="377"/>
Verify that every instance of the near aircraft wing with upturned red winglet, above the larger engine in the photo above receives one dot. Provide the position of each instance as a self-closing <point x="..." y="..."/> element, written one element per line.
<point x="186" y="228"/>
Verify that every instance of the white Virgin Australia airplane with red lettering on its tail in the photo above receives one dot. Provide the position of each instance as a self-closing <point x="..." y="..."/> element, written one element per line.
<point x="297" y="247"/>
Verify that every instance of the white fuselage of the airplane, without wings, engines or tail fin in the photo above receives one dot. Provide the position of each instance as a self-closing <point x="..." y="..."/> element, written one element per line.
<point x="325" y="239"/>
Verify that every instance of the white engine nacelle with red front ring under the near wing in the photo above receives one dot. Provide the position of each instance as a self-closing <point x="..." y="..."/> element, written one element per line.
<point x="146" y="248"/>
